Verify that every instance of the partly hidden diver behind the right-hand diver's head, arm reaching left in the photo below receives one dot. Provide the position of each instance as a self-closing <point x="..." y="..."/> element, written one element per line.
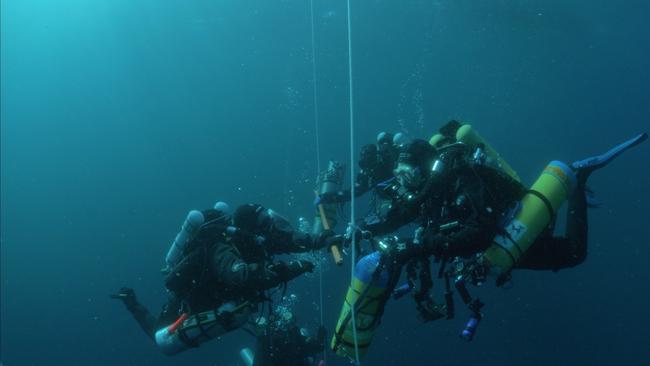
<point x="376" y="163"/>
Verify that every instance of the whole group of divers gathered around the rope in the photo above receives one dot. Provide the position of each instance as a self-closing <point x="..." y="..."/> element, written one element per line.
<point x="472" y="216"/>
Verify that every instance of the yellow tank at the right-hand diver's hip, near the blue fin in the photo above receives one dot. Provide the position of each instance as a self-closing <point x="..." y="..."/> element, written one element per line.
<point x="538" y="207"/>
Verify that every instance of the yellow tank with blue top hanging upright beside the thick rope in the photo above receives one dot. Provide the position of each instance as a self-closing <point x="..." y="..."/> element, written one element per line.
<point x="370" y="289"/>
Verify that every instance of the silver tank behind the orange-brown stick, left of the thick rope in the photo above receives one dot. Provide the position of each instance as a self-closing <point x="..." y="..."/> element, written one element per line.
<point x="329" y="182"/>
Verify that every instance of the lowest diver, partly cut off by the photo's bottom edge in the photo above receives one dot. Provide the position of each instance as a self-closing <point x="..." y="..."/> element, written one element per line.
<point x="281" y="342"/>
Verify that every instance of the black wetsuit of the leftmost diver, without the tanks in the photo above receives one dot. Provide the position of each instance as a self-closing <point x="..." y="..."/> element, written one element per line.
<point x="219" y="267"/>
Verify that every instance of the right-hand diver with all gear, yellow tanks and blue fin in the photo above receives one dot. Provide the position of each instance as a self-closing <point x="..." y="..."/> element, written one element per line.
<point x="473" y="213"/>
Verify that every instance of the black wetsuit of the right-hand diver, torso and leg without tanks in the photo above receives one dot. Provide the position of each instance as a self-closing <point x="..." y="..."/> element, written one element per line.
<point x="474" y="200"/>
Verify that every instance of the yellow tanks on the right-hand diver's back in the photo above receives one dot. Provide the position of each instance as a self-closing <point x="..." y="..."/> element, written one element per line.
<point x="467" y="135"/>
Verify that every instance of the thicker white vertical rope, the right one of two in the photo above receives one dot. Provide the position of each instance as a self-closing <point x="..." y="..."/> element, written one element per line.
<point x="353" y="260"/>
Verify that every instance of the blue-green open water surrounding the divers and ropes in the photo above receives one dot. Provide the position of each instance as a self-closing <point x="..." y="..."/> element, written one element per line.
<point x="118" y="116"/>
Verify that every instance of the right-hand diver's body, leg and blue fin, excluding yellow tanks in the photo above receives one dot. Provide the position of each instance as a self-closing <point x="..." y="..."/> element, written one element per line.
<point x="460" y="203"/>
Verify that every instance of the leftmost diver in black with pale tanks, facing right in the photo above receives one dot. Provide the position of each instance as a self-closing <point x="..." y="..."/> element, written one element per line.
<point x="217" y="274"/>
